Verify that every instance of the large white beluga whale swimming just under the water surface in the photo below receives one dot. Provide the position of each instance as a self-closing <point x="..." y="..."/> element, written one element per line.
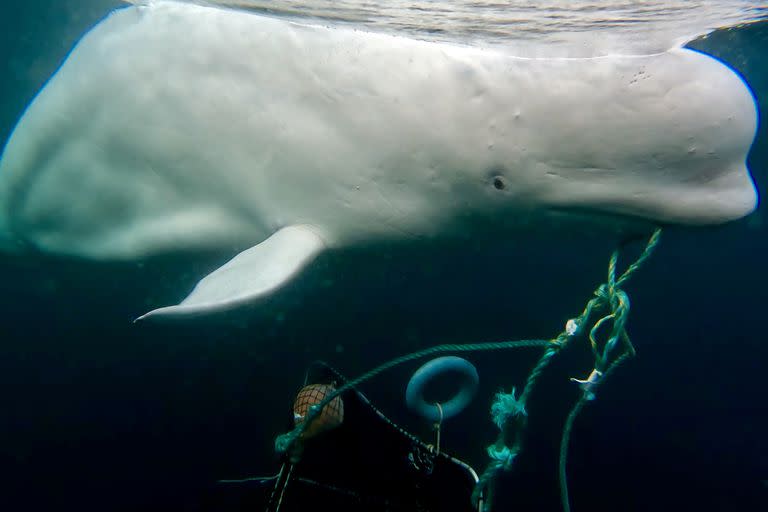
<point x="180" y="128"/>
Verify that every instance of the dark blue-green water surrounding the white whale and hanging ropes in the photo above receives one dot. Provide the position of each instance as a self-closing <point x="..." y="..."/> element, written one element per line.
<point x="100" y="414"/>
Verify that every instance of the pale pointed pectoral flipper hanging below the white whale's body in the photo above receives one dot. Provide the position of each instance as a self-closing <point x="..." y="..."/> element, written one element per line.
<point x="252" y="274"/>
